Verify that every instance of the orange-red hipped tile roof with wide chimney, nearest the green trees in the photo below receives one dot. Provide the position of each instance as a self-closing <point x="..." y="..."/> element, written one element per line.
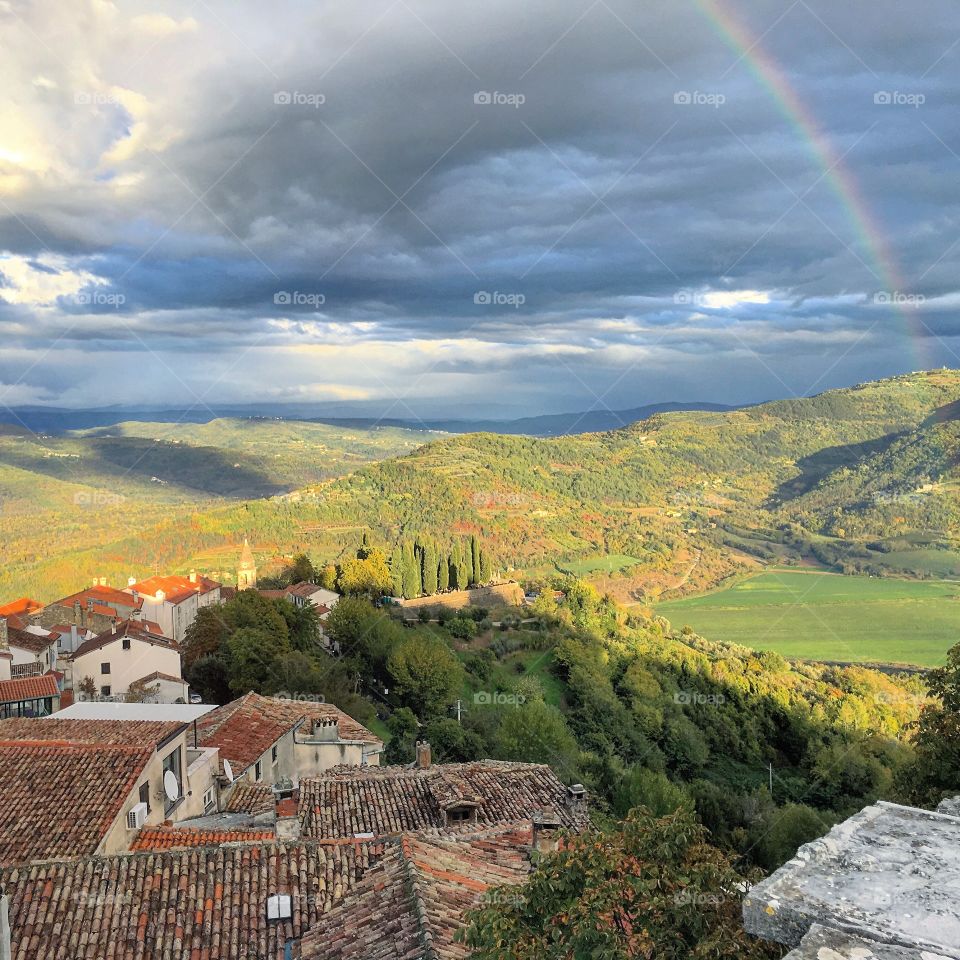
<point x="246" y="728"/>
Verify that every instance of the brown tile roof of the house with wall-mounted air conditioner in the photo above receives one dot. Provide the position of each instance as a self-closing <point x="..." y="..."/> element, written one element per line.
<point x="59" y="799"/>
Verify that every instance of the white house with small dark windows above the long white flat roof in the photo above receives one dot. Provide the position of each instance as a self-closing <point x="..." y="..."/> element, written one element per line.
<point x="130" y="654"/>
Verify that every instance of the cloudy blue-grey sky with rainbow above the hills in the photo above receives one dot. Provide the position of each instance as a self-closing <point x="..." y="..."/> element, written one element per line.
<point x="415" y="206"/>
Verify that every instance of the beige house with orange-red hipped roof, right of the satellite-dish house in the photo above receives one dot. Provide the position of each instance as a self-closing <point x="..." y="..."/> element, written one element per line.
<point x="268" y="740"/>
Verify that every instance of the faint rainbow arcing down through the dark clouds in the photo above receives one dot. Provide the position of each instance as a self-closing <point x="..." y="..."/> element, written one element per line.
<point x="774" y="79"/>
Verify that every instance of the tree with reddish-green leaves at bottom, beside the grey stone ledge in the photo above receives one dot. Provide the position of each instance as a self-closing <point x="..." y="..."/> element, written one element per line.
<point x="651" y="888"/>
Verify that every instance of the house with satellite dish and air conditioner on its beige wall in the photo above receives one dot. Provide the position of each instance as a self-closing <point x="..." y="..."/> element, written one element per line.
<point x="88" y="786"/>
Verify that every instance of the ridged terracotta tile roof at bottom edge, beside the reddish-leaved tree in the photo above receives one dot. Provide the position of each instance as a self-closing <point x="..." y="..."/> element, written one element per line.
<point x="411" y="904"/>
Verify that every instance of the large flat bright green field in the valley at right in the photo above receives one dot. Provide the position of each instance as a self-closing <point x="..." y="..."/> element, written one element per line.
<point x="823" y="616"/>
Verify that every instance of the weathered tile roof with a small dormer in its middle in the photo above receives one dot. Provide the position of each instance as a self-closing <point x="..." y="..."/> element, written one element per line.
<point x="383" y="801"/>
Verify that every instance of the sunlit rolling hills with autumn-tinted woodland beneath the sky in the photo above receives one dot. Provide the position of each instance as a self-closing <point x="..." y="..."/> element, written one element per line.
<point x="861" y="479"/>
